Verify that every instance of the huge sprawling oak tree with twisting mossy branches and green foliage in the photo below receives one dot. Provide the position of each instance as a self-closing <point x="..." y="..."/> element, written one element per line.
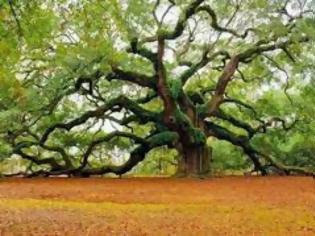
<point x="81" y="77"/>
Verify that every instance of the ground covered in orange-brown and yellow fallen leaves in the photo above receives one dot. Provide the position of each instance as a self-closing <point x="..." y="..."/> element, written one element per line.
<point x="158" y="206"/>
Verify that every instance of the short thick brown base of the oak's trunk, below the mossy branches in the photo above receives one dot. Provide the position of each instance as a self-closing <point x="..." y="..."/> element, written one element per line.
<point x="195" y="162"/>
